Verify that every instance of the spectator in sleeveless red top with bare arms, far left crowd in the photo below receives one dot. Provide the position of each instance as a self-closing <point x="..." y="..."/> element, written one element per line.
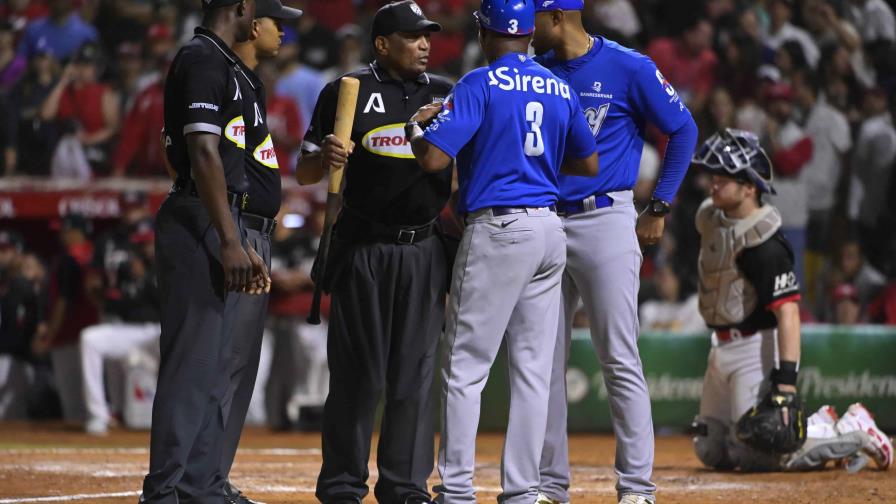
<point x="88" y="108"/>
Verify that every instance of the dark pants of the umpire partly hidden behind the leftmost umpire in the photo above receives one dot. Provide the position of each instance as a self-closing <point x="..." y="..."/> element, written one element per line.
<point x="247" y="331"/>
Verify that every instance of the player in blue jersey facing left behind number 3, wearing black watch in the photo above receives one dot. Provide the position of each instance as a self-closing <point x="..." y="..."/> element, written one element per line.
<point x="620" y="91"/>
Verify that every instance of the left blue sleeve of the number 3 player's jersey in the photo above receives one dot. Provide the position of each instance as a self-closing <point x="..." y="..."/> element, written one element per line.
<point x="459" y="119"/>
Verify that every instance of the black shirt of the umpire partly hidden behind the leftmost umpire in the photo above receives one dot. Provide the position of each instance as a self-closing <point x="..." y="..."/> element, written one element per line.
<point x="262" y="168"/>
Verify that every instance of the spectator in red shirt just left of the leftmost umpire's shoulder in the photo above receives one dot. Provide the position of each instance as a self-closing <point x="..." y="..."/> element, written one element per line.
<point x="139" y="152"/>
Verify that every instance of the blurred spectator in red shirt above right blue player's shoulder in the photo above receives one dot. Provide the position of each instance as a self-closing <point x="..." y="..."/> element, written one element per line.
<point x="688" y="62"/>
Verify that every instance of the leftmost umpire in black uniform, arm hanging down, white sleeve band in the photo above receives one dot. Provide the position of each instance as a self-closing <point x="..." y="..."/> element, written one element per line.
<point x="202" y="258"/>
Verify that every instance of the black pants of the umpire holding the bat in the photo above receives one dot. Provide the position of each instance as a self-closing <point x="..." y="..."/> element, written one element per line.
<point x="388" y="303"/>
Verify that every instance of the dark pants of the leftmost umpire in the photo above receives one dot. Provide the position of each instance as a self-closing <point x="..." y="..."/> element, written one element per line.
<point x="188" y="417"/>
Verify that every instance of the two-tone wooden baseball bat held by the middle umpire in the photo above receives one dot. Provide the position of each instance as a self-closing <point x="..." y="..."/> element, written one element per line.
<point x="345" y="118"/>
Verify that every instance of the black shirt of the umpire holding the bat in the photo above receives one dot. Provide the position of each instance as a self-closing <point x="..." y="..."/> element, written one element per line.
<point x="384" y="183"/>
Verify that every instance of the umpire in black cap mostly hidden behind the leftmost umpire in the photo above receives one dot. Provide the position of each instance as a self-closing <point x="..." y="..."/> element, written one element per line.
<point x="263" y="171"/>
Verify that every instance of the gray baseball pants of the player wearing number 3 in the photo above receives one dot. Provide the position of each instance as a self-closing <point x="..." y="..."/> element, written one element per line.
<point x="505" y="287"/>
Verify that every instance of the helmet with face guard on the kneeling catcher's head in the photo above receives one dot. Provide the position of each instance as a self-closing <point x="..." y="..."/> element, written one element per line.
<point x="736" y="153"/>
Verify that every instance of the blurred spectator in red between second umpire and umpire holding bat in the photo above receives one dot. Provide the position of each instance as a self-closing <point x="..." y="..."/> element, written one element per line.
<point x="285" y="122"/>
